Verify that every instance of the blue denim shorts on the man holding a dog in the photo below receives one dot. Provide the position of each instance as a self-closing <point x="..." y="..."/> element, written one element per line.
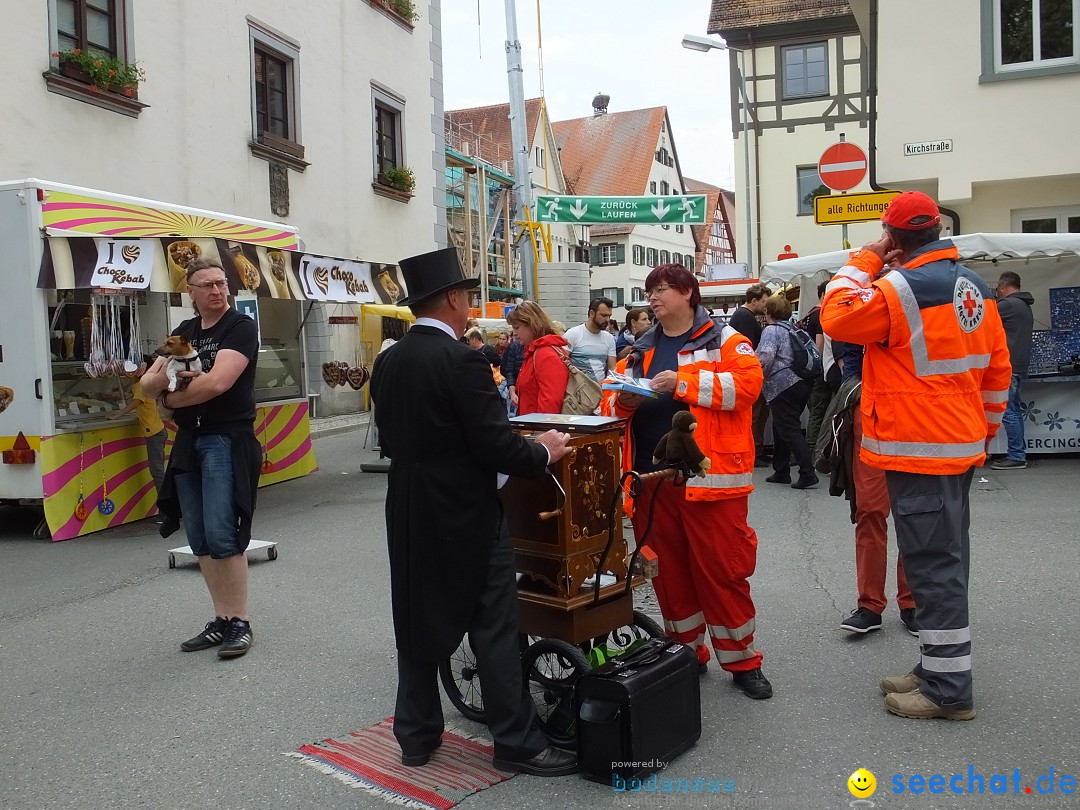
<point x="207" y="501"/>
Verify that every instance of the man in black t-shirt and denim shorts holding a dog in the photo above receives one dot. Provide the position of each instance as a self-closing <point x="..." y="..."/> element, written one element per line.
<point x="215" y="464"/>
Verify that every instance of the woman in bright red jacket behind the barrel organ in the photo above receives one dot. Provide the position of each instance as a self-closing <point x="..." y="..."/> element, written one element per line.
<point x="542" y="384"/>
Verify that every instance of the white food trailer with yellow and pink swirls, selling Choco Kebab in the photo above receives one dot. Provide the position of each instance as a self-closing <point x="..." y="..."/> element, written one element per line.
<point x="93" y="281"/>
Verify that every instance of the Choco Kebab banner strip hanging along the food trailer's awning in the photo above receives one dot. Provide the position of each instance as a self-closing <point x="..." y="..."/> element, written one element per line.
<point x="159" y="265"/>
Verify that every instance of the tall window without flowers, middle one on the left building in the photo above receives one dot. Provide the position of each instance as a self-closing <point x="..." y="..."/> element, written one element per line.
<point x="276" y="87"/>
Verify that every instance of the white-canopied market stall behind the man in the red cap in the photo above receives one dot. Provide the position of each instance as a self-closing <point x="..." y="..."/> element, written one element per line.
<point x="1049" y="266"/>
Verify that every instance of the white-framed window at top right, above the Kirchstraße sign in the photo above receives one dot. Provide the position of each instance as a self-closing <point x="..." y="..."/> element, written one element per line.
<point x="1035" y="34"/>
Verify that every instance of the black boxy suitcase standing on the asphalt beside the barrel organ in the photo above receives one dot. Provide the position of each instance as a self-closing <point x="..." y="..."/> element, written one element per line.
<point x="639" y="712"/>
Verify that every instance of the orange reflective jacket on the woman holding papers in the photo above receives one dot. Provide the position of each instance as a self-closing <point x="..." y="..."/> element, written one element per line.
<point x="720" y="377"/>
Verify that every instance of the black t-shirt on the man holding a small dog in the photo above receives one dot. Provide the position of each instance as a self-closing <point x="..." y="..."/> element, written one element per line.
<point x="236" y="408"/>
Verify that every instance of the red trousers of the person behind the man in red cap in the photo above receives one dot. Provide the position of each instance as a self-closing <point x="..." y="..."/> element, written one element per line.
<point x="872" y="534"/>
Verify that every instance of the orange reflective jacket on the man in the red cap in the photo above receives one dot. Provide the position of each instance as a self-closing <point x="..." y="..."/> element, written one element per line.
<point x="937" y="373"/>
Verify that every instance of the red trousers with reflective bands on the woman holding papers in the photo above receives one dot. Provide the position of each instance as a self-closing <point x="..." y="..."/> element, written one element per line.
<point x="707" y="553"/>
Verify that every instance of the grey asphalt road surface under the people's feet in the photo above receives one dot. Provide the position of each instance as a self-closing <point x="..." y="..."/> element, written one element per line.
<point x="100" y="709"/>
